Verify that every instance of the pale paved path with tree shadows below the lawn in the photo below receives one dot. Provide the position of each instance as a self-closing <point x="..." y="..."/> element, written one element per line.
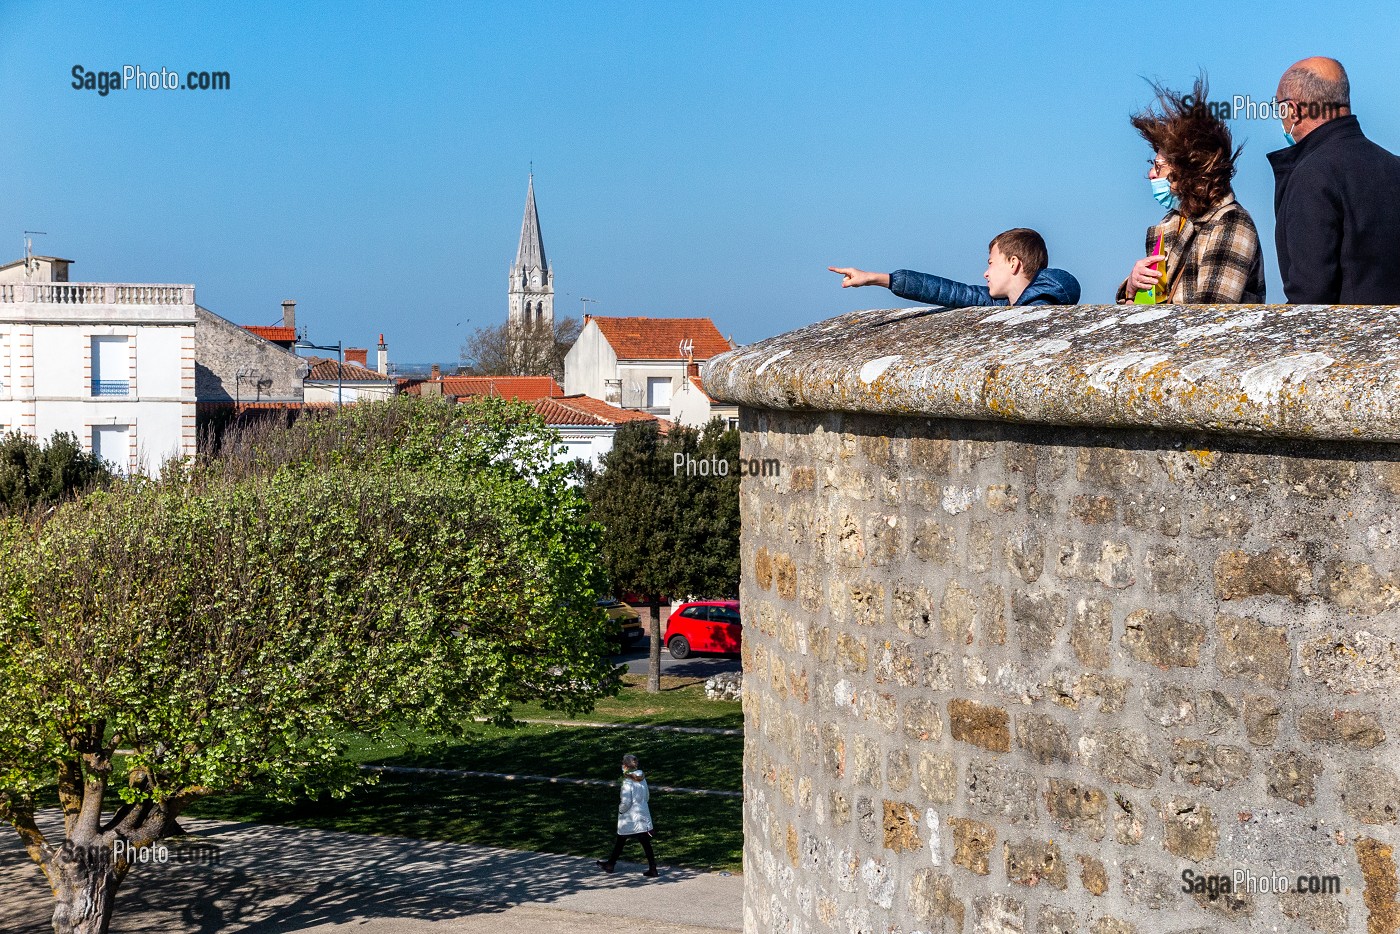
<point x="272" y="880"/>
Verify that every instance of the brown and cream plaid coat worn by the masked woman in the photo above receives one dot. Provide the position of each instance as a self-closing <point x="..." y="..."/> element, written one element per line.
<point x="1213" y="260"/>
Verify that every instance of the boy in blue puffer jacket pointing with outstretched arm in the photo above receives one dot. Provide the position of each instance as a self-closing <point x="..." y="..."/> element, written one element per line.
<point x="1016" y="275"/>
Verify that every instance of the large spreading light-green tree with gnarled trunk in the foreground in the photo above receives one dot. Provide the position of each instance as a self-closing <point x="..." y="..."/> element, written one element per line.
<point x="398" y="568"/>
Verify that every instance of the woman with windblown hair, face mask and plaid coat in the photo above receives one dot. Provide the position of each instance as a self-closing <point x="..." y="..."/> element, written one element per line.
<point x="1209" y="246"/>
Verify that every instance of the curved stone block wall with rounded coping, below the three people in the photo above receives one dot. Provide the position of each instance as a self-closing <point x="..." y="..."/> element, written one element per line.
<point x="1020" y="677"/>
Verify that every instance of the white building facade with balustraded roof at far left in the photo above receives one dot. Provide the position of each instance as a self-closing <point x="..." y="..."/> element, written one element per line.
<point x="110" y="363"/>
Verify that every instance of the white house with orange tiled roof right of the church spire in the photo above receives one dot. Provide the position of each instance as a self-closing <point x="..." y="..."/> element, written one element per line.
<point x="649" y="365"/>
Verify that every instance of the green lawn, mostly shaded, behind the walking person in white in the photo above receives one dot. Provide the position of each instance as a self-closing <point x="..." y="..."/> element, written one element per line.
<point x="694" y="831"/>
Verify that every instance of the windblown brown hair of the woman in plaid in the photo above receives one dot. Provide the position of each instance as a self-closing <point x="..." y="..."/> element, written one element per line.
<point x="1196" y="145"/>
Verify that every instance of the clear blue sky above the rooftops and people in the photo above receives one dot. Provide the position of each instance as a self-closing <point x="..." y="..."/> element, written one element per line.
<point x="712" y="159"/>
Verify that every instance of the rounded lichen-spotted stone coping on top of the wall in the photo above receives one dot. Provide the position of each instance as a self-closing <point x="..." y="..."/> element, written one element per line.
<point x="1300" y="372"/>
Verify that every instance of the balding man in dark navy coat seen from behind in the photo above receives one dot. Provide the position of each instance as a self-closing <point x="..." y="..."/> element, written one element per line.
<point x="1336" y="195"/>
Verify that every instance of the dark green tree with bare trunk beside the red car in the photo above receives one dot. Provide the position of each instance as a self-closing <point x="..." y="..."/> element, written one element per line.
<point x="668" y="530"/>
